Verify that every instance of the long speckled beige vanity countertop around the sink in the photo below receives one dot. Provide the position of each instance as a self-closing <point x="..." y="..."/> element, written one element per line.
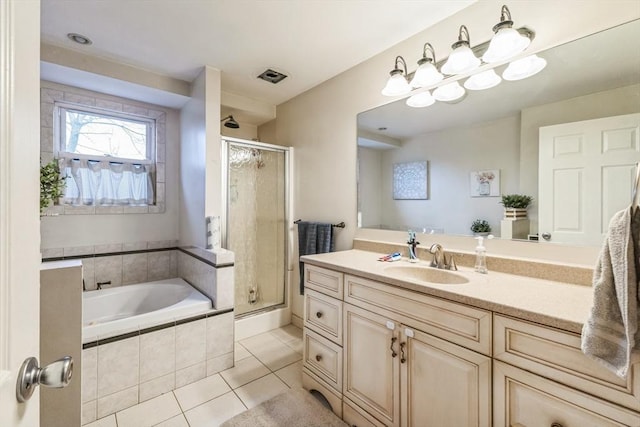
<point x="561" y="305"/>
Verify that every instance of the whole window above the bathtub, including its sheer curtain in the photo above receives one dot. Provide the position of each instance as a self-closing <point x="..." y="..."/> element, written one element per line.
<point x="108" y="157"/>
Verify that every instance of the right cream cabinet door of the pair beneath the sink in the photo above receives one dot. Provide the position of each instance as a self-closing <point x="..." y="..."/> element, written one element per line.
<point x="442" y="384"/>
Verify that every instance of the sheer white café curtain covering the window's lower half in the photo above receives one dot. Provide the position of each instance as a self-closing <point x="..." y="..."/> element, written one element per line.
<point x="104" y="182"/>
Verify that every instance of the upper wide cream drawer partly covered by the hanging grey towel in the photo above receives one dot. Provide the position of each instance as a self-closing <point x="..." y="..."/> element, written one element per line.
<point x="556" y="354"/>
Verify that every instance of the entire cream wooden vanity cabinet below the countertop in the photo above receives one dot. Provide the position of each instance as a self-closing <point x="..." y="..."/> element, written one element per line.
<point x="384" y="355"/>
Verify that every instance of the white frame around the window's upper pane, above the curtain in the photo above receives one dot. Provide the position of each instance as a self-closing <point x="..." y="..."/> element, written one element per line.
<point x="60" y="125"/>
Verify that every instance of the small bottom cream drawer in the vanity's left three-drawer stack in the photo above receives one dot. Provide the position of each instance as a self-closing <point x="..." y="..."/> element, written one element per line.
<point x="324" y="358"/>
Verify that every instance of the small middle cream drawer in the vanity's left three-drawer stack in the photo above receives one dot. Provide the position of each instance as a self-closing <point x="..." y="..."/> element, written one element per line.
<point x="323" y="314"/>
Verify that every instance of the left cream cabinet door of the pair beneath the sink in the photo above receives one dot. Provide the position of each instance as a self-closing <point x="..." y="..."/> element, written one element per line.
<point x="371" y="376"/>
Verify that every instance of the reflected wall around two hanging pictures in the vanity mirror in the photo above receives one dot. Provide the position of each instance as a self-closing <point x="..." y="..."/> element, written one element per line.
<point x="452" y="154"/>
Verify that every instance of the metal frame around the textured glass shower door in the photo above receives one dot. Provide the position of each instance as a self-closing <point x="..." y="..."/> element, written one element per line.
<point x="225" y="142"/>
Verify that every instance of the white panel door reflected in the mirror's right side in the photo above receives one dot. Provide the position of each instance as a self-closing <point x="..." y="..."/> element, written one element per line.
<point x="586" y="174"/>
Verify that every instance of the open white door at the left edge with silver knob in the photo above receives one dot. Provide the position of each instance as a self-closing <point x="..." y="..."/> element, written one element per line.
<point x="19" y="189"/>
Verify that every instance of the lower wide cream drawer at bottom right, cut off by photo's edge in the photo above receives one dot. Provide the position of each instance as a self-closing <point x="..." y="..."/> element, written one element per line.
<point x="525" y="399"/>
